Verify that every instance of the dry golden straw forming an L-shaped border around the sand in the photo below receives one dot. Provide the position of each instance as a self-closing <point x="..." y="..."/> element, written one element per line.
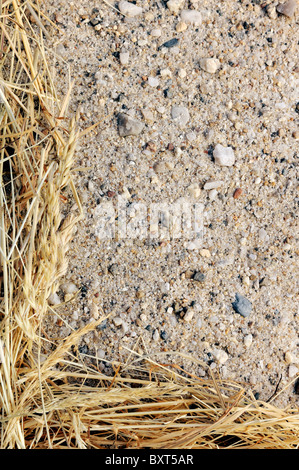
<point x="50" y="397"/>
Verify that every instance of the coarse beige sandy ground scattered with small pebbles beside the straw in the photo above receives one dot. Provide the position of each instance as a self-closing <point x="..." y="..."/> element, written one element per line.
<point x="171" y="297"/>
